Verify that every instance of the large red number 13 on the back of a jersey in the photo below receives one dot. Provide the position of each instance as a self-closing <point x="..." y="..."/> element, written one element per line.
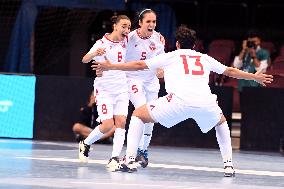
<point x="198" y="70"/>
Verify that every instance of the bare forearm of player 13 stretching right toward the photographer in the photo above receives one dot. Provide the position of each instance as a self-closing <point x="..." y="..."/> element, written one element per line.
<point x="239" y="74"/>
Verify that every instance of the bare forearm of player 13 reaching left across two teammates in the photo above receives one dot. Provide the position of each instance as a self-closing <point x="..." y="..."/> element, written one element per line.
<point x="130" y="66"/>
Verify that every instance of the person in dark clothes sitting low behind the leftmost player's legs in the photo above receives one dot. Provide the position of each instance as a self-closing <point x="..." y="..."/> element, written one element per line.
<point x="88" y="120"/>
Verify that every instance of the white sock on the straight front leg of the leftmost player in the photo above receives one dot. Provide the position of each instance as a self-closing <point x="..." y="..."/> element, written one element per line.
<point x="118" y="141"/>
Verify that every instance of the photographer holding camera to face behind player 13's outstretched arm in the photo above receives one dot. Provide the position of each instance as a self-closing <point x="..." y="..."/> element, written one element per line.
<point x="252" y="58"/>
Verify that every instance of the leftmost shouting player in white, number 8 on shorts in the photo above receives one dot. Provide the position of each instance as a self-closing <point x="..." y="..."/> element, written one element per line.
<point x="111" y="91"/>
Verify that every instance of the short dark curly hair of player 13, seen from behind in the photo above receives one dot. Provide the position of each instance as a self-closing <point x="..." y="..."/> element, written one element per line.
<point x="186" y="37"/>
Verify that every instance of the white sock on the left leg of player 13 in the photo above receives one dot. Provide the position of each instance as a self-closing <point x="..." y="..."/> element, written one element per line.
<point x="134" y="135"/>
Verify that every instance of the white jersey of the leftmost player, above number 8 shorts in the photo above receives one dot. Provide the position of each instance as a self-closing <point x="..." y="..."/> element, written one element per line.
<point x="112" y="81"/>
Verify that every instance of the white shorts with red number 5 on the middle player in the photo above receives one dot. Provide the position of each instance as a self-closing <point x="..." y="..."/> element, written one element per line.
<point x="141" y="92"/>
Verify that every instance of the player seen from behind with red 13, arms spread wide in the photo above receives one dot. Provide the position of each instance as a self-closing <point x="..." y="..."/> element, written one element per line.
<point x="186" y="74"/>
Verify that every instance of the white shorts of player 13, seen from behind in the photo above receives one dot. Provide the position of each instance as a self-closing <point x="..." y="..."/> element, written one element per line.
<point x="170" y="110"/>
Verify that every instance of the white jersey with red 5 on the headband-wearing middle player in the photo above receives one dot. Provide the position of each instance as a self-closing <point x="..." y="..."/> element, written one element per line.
<point x="140" y="48"/>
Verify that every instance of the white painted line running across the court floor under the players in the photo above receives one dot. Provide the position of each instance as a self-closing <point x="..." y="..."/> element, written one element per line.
<point x="169" y="166"/>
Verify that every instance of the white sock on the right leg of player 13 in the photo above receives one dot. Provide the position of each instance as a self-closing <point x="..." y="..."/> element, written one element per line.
<point x="224" y="141"/>
